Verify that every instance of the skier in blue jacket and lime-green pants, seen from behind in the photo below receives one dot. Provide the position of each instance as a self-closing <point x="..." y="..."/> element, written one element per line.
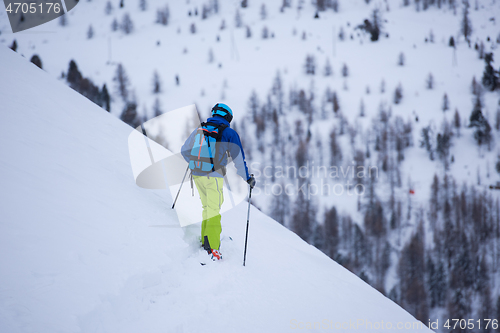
<point x="207" y="150"/>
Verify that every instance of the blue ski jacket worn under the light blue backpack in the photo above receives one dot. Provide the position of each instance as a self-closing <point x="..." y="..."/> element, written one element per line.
<point x="230" y="142"/>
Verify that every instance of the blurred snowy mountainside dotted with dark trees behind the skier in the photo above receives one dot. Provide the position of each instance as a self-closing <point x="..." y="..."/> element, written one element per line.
<point x="373" y="127"/>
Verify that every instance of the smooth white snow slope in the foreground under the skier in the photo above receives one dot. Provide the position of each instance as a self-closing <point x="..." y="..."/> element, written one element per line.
<point x="83" y="249"/>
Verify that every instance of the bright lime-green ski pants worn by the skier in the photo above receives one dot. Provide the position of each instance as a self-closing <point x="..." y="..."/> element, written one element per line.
<point x="210" y="190"/>
